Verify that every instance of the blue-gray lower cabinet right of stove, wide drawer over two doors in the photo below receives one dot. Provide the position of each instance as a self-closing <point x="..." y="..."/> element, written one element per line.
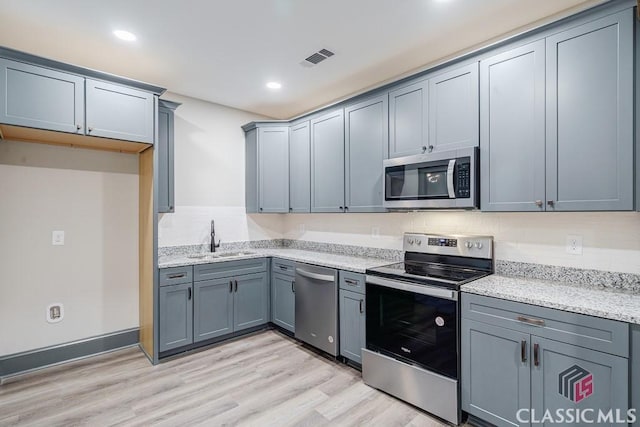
<point x="520" y="361"/>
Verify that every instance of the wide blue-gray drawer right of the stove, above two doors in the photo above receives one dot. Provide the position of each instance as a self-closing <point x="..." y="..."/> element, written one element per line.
<point x="599" y="334"/>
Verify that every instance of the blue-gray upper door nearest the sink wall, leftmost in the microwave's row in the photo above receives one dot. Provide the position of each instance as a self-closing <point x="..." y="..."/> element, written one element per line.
<point x="273" y="169"/>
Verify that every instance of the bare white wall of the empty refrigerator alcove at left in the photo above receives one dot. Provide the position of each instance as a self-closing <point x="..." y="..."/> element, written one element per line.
<point x="93" y="197"/>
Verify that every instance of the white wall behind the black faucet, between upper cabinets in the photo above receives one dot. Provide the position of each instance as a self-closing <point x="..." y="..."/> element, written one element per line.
<point x="209" y="178"/>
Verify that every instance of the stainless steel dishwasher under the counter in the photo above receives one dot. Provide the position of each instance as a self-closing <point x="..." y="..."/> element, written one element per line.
<point x="316" y="290"/>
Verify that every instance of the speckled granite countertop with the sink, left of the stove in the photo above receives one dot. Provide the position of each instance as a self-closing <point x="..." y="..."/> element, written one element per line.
<point x="324" y="259"/>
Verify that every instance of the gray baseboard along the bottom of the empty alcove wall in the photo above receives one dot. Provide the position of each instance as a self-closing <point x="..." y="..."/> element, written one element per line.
<point x="19" y="363"/>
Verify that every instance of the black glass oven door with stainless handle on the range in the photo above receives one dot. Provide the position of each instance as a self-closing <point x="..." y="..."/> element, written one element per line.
<point x="413" y="323"/>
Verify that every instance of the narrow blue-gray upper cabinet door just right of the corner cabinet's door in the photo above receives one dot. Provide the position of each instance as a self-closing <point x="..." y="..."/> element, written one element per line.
<point x="300" y="168"/>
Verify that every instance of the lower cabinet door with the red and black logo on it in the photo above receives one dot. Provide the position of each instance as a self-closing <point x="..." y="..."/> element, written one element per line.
<point x="572" y="377"/>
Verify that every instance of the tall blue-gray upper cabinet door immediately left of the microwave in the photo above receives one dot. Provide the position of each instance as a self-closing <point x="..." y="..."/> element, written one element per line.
<point x="366" y="146"/>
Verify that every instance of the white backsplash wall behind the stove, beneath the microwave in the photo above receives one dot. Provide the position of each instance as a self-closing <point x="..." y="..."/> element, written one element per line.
<point x="611" y="240"/>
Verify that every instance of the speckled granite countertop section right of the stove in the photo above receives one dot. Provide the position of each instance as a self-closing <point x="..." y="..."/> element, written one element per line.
<point x="615" y="304"/>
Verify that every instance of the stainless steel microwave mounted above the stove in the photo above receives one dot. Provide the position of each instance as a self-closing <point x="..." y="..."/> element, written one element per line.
<point x="442" y="180"/>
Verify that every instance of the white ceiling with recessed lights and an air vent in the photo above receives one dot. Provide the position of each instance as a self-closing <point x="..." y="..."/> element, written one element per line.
<point x="225" y="51"/>
